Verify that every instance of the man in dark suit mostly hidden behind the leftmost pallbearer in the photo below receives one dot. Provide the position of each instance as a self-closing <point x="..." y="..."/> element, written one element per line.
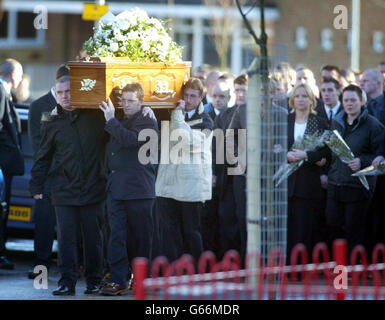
<point x="44" y="213"/>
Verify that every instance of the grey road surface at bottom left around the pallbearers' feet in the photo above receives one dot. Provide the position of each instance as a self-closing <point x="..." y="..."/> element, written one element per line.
<point x="15" y="285"/>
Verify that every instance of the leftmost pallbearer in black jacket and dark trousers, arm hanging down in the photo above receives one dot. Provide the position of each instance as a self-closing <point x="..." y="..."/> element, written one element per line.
<point x="73" y="141"/>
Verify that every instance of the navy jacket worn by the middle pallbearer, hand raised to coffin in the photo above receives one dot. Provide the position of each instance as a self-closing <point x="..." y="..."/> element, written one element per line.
<point x="128" y="178"/>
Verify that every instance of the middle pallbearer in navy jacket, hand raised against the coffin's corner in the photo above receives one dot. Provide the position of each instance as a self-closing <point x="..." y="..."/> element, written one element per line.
<point x="130" y="187"/>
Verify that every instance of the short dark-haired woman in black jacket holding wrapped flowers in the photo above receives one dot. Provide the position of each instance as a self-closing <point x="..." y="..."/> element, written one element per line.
<point x="348" y="200"/>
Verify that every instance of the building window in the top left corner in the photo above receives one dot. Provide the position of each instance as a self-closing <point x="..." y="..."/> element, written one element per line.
<point x="17" y="30"/>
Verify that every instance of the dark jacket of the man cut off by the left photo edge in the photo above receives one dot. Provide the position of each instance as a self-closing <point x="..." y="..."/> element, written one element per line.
<point x="11" y="157"/>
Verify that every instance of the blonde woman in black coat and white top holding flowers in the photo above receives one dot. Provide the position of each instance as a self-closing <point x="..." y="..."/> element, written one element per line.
<point x="305" y="194"/>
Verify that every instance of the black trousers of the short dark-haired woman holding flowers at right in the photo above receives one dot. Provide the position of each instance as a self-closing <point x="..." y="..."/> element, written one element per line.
<point x="346" y="214"/>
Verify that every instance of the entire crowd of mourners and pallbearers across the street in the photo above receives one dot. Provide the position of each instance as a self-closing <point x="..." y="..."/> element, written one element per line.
<point x="94" y="181"/>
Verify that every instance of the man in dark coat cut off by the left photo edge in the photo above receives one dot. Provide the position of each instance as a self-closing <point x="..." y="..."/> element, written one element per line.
<point x="11" y="158"/>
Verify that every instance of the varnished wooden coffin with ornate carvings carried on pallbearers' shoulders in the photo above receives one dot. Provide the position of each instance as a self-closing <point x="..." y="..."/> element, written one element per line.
<point x="98" y="79"/>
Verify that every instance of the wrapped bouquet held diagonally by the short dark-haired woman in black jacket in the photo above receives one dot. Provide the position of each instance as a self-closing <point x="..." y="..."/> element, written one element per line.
<point x="337" y="144"/>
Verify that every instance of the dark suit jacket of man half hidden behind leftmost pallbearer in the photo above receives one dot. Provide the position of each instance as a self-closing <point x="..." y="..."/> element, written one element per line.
<point x="44" y="104"/>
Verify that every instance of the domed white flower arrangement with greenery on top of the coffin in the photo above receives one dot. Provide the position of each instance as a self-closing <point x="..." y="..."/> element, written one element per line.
<point x="133" y="34"/>
